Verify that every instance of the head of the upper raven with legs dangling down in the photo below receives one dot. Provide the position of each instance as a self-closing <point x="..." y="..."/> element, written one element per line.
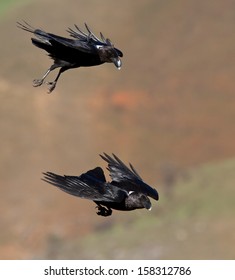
<point x="108" y="53"/>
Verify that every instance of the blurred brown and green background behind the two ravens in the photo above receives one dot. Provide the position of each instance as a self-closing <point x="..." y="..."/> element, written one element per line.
<point x="170" y="111"/>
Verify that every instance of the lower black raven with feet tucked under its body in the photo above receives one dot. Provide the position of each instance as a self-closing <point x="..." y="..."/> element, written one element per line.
<point x="126" y="191"/>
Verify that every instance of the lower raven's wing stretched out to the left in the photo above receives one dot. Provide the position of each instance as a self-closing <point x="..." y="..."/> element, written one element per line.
<point x="85" y="186"/>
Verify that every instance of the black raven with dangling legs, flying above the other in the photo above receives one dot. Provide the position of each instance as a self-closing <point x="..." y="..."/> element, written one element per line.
<point x="84" y="50"/>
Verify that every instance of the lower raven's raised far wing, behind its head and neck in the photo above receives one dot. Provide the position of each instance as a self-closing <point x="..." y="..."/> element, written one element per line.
<point x="127" y="178"/>
